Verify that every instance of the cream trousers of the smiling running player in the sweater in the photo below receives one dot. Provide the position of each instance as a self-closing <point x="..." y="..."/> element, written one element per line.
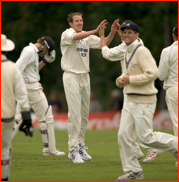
<point x="136" y="121"/>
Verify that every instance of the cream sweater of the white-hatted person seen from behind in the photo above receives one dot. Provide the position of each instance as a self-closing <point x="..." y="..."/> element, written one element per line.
<point x="12" y="89"/>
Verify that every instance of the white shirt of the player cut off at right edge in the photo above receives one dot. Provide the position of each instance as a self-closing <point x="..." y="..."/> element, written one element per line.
<point x="168" y="66"/>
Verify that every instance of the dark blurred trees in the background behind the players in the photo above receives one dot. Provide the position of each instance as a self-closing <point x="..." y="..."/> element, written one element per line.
<point x="25" y="22"/>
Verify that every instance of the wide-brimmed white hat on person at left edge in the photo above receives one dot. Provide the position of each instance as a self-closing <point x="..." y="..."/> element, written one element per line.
<point x="6" y="44"/>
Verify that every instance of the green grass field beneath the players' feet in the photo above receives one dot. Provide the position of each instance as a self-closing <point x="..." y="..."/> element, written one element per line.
<point x="28" y="164"/>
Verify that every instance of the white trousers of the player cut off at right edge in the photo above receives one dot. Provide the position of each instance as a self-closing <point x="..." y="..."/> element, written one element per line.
<point x="172" y="104"/>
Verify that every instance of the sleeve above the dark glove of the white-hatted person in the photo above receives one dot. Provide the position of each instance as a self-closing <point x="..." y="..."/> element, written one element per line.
<point x="21" y="91"/>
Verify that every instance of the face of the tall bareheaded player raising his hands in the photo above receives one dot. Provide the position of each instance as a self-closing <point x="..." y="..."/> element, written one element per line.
<point x="77" y="23"/>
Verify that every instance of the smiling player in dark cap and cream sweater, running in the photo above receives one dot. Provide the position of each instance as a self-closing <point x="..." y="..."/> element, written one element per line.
<point x="138" y="77"/>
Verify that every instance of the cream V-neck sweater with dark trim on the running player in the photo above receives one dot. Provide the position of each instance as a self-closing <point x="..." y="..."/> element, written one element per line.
<point x="142" y="70"/>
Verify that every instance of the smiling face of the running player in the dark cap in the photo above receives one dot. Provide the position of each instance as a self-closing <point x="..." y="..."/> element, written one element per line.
<point x="129" y="36"/>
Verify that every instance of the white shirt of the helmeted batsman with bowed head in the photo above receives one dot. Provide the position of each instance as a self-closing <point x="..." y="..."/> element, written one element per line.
<point x="28" y="64"/>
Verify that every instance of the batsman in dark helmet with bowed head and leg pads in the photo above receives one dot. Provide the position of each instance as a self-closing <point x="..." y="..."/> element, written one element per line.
<point x="29" y="65"/>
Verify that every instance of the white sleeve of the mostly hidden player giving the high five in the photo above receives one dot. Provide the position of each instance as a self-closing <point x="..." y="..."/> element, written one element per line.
<point x="115" y="53"/>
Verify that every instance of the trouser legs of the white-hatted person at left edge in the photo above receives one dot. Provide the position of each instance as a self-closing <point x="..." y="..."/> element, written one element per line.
<point x="6" y="133"/>
